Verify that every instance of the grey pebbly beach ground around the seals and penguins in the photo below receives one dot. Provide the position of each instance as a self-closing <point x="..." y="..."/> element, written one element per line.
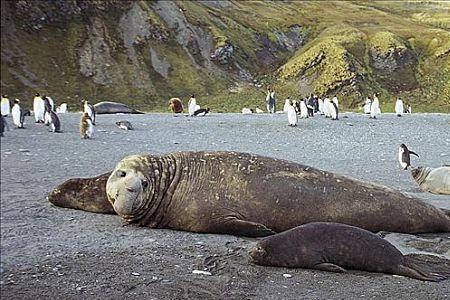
<point x="51" y="252"/>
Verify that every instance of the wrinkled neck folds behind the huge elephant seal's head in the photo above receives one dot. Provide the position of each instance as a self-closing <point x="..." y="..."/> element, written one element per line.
<point x="163" y="174"/>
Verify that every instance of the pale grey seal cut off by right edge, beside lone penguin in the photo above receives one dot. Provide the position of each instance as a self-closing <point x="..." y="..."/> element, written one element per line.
<point x="436" y="181"/>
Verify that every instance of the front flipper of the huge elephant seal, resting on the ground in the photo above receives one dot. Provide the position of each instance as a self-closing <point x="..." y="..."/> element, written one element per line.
<point x="233" y="225"/>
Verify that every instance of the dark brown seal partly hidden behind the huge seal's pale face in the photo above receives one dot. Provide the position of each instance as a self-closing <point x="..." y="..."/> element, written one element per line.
<point x="89" y="192"/>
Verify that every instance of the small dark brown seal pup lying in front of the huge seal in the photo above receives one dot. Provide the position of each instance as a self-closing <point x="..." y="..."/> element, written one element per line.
<point x="333" y="247"/>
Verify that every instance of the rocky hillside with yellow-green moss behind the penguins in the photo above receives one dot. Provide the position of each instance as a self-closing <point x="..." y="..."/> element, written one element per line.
<point x="227" y="52"/>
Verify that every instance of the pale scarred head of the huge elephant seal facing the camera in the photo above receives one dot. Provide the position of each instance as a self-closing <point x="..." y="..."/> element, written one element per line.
<point x="129" y="188"/>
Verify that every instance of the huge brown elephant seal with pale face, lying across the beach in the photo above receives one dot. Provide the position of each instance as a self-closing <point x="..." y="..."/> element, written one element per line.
<point x="251" y="195"/>
